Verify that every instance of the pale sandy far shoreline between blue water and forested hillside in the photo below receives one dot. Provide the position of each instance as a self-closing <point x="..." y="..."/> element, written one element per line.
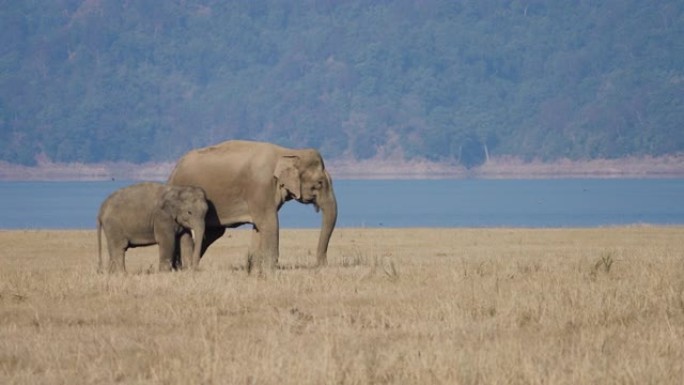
<point x="671" y="166"/>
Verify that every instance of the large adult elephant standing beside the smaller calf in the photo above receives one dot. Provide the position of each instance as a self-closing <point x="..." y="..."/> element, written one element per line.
<point x="248" y="182"/>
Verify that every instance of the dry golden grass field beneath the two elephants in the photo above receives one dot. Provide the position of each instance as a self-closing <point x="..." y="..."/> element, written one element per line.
<point x="408" y="306"/>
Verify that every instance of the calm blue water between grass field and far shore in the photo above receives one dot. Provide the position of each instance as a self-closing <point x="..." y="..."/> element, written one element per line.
<point x="399" y="203"/>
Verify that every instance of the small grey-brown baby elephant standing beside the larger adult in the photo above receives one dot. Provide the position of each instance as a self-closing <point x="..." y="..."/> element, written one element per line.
<point x="151" y="213"/>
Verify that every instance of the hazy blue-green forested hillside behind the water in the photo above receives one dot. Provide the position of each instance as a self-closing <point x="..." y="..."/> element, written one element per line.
<point x="446" y="80"/>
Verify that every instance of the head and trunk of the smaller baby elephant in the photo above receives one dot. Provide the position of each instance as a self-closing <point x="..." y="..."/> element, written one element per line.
<point x="187" y="206"/>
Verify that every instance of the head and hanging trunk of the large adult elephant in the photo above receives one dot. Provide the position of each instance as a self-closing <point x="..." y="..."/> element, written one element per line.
<point x="303" y="174"/>
